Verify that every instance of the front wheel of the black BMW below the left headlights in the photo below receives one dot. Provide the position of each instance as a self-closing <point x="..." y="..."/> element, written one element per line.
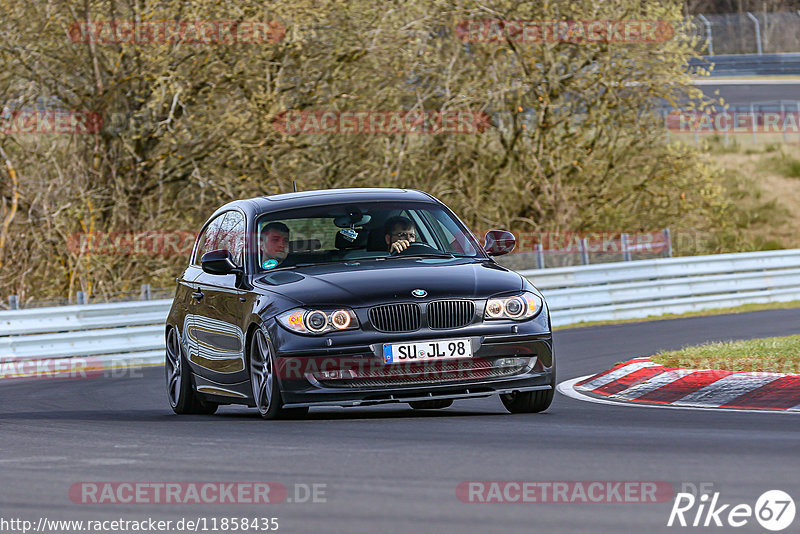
<point x="265" y="386"/>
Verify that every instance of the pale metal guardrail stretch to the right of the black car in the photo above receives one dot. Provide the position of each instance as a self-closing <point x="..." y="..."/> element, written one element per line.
<point x="671" y="285"/>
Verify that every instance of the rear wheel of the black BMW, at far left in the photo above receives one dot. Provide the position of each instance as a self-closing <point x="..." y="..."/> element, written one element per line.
<point x="181" y="393"/>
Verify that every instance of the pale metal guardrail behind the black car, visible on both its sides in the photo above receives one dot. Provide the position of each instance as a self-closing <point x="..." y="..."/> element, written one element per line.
<point x="133" y="332"/>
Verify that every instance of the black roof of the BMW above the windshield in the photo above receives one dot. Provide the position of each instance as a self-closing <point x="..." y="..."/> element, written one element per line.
<point x="301" y="199"/>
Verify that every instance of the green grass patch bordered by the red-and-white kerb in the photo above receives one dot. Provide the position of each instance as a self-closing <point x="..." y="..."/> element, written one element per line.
<point x="772" y="354"/>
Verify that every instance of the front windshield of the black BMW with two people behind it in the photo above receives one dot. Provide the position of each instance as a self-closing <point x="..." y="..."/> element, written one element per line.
<point x="359" y="231"/>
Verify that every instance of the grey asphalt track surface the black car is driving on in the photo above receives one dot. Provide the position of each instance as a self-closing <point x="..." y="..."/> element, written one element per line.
<point x="390" y="469"/>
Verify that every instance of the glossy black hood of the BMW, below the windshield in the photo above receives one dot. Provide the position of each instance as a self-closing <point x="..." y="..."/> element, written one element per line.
<point x="365" y="283"/>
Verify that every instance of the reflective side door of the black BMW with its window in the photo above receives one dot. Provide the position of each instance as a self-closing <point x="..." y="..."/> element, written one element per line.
<point x="220" y="315"/>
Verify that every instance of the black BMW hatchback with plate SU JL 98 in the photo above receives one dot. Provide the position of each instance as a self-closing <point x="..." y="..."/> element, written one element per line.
<point x="352" y="297"/>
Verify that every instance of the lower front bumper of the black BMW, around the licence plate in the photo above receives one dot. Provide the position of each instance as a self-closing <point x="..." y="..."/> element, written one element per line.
<point x="355" y="375"/>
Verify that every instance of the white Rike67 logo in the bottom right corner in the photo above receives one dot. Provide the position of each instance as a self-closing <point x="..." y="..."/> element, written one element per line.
<point x="774" y="510"/>
